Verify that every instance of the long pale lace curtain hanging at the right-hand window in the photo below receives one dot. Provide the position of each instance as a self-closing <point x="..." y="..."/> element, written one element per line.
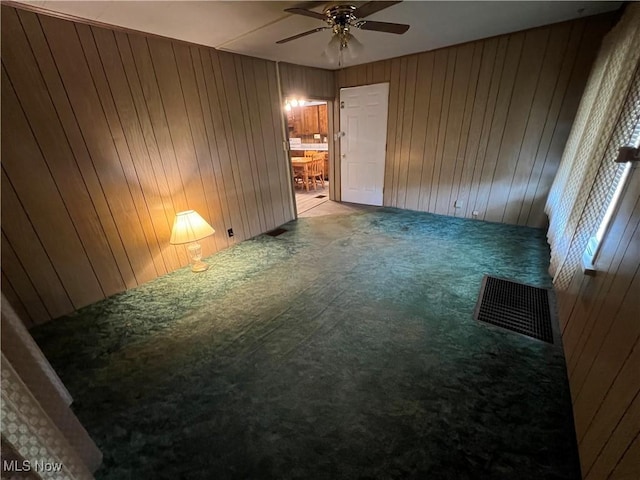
<point x="607" y="113"/>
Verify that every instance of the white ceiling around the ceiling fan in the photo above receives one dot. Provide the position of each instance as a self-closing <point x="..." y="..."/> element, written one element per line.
<point x="252" y="28"/>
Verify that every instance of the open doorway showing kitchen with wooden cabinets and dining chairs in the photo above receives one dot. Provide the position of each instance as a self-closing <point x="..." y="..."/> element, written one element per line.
<point x="309" y="138"/>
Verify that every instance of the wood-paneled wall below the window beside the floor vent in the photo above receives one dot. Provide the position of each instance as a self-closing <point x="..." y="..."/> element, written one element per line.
<point x="601" y="335"/>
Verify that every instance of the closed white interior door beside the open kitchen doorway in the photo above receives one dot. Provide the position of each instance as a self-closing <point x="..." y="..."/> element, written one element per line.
<point x="363" y="125"/>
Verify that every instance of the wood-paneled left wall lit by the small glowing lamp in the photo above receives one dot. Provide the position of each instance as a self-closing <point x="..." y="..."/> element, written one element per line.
<point x="105" y="136"/>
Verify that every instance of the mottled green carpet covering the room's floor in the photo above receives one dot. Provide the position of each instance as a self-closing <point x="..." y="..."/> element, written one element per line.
<point x="344" y="348"/>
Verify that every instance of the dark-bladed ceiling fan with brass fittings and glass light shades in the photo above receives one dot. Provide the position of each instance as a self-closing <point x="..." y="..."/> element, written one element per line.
<point x="341" y="18"/>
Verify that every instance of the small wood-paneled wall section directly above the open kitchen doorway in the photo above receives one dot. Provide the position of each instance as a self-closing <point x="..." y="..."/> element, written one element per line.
<point x="307" y="82"/>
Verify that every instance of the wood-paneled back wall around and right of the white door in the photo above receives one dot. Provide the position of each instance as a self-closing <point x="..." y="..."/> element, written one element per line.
<point x="483" y="123"/>
